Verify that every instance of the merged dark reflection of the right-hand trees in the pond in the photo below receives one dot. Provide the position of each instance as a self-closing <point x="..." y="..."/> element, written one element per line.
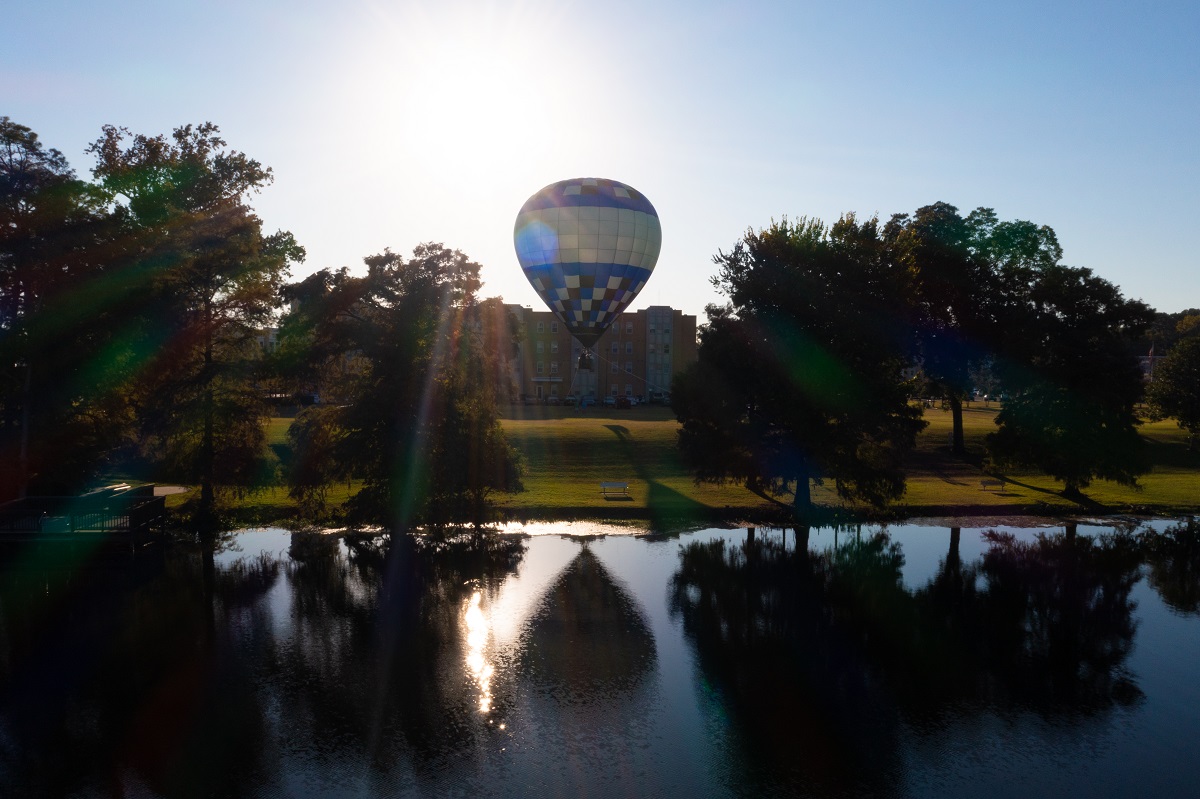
<point x="820" y="656"/>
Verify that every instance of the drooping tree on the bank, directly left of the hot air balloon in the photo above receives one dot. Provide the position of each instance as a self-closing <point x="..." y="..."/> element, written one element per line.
<point x="419" y="420"/>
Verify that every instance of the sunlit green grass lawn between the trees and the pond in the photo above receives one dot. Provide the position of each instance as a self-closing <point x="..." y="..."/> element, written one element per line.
<point x="569" y="453"/>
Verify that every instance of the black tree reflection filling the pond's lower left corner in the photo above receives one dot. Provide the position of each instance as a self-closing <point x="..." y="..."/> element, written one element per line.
<point x="115" y="675"/>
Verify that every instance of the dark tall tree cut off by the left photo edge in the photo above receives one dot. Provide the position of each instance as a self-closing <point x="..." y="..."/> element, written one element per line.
<point x="57" y="420"/>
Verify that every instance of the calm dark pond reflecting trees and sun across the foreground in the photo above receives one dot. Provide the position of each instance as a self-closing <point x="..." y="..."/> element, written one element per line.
<point x="585" y="660"/>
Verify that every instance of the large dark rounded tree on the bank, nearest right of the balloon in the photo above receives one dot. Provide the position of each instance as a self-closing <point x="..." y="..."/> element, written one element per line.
<point x="799" y="379"/>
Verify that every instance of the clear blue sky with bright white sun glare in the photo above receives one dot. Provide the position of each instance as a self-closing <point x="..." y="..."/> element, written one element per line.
<point x="389" y="124"/>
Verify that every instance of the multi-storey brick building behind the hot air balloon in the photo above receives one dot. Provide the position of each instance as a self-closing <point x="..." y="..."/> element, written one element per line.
<point x="638" y="357"/>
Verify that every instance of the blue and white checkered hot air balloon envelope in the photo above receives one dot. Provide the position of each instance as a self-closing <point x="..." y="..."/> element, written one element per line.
<point x="587" y="245"/>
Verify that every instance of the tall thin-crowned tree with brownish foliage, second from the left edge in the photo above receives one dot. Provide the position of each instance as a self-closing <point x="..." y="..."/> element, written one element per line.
<point x="211" y="281"/>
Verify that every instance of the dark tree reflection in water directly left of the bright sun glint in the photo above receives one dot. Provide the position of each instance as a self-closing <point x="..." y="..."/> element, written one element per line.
<point x="380" y="652"/>
